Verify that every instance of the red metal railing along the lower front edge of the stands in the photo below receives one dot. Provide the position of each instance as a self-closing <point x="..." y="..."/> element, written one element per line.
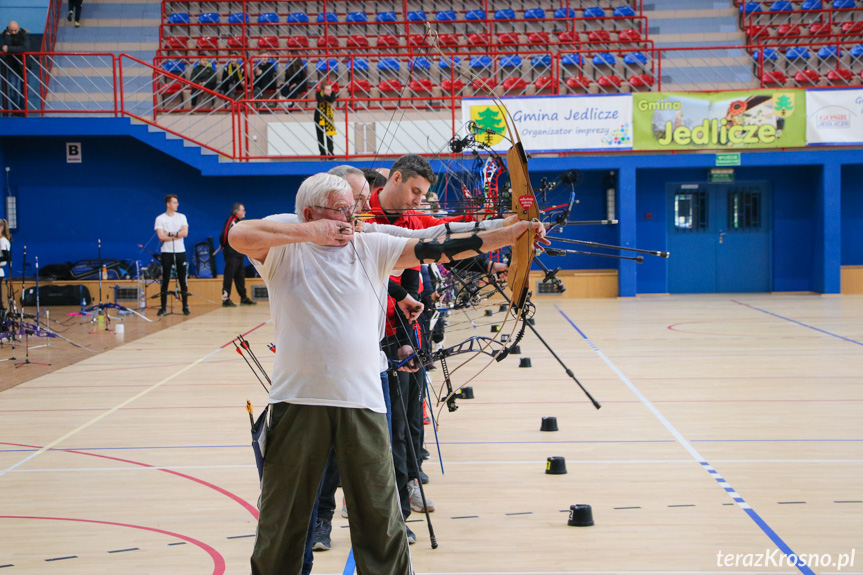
<point x="386" y="105"/>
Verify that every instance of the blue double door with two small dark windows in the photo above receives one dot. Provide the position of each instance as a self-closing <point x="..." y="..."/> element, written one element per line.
<point x="719" y="238"/>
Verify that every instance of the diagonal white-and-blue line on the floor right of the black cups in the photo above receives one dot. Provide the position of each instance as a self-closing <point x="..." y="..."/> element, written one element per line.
<point x="780" y="544"/>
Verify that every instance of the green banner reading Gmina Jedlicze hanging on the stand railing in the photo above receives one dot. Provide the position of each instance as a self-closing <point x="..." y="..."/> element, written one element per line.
<point x="719" y="121"/>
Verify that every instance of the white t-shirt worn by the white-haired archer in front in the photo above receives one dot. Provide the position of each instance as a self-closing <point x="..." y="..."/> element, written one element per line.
<point x="327" y="305"/>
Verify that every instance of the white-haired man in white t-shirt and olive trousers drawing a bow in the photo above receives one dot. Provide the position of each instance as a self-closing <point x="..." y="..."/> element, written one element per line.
<point x="327" y="291"/>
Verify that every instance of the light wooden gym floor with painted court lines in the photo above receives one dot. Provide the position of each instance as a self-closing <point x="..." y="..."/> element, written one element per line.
<point x="730" y="424"/>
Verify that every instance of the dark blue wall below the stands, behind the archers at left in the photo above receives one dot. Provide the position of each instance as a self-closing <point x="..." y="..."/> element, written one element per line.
<point x="115" y="195"/>
